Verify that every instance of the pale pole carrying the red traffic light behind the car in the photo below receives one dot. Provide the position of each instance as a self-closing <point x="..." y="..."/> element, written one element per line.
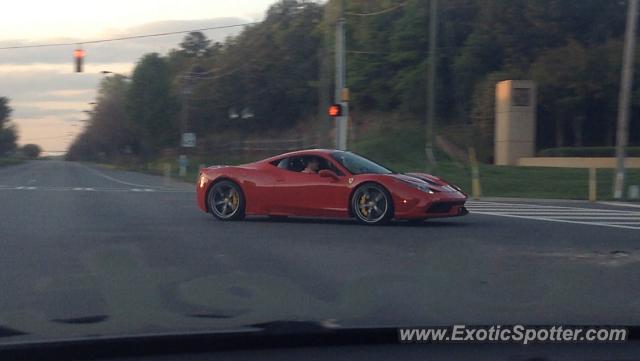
<point x="342" y="94"/>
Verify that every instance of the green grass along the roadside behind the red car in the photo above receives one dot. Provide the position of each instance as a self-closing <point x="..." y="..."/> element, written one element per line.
<point x="402" y="149"/>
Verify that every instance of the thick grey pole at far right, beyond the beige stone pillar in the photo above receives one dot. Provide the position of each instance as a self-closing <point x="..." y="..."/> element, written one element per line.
<point x="626" y="83"/>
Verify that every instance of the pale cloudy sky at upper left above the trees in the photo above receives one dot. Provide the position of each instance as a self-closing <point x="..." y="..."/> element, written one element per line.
<point x="47" y="97"/>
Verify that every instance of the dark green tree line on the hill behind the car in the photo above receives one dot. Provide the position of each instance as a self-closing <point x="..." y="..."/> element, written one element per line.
<point x="278" y="74"/>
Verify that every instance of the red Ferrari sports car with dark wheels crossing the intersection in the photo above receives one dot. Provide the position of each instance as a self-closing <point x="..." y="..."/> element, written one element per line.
<point x="325" y="183"/>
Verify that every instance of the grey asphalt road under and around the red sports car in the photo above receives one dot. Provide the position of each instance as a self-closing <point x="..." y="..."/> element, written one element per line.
<point x="92" y="251"/>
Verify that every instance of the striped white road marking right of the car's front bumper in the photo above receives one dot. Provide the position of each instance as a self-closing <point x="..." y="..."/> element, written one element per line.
<point x="574" y="215"/>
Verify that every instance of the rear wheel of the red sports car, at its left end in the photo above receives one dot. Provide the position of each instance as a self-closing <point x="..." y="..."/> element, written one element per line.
<point x="226" y="201"/>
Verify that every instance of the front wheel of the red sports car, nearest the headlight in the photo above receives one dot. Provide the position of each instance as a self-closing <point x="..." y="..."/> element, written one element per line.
<point x="372" y="204"/>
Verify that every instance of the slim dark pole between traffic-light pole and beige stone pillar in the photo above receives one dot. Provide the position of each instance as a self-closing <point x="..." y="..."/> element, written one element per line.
<point x="431" y="84"/>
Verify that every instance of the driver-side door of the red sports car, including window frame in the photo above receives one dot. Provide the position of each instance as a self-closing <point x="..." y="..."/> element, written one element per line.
<point x="309" y="194"/>
